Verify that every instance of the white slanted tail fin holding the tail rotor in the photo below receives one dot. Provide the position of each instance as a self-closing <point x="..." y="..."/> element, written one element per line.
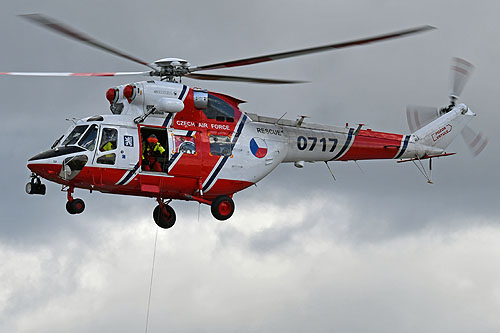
<point x="442" y="131"/>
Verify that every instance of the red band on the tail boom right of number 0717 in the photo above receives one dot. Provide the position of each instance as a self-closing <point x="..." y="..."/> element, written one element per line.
<point x="369" y="145"/>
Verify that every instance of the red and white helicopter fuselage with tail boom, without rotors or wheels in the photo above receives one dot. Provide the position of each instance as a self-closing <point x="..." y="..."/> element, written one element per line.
<point x="212" y="148"/>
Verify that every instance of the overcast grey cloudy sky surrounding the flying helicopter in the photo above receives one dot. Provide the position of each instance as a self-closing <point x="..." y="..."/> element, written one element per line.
<point x="374" y="251"/>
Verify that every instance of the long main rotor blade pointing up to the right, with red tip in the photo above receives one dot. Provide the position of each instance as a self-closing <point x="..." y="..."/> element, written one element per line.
<point x="283" y="55"/>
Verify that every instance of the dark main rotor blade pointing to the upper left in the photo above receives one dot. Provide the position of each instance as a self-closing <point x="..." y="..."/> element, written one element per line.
<point x="63" y="29"/>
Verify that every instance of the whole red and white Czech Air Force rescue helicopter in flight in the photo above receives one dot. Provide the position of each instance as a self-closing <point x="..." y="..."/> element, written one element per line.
<point x="212" y="148"/>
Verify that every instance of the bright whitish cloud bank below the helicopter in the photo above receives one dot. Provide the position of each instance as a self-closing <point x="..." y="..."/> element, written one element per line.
<point x="209" y="279"/>
